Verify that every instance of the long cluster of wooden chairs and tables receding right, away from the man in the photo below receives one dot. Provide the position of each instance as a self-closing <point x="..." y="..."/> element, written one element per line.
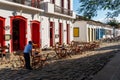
<point x="63" y="51"/>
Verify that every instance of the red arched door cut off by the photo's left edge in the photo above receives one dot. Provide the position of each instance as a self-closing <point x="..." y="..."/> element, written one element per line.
<point x="2" y="31"/>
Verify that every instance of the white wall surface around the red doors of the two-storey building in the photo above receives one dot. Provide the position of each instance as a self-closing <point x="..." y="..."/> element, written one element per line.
<point x="6" y="11"/>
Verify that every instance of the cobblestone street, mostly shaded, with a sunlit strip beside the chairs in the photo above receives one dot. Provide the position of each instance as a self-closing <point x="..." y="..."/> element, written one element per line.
<point x="79" y="67"/>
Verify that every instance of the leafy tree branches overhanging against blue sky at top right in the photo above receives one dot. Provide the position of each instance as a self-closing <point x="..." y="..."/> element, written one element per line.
<point x="89" y="7"/>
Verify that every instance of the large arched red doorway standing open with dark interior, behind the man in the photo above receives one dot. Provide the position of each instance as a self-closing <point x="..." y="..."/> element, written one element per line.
<point x="18" y="32"/>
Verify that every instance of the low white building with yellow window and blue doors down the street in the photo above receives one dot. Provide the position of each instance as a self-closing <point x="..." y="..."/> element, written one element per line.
<point x="87" y="31"/>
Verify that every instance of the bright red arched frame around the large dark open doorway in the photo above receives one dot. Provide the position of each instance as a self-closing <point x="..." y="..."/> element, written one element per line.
<point x="11" y="30"/>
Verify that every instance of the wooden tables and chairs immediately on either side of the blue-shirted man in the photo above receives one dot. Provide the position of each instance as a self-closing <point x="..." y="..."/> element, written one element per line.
<point x="37" y="59"/>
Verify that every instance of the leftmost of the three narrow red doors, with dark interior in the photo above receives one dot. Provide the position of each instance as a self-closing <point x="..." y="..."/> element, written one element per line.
<point x="52" y="37"/>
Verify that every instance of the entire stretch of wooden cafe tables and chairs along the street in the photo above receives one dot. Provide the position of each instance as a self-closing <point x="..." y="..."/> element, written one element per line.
<point x="40" y="57"/>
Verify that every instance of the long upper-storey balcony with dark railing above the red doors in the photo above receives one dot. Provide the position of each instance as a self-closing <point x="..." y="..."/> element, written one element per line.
<point x="46" y="6"/>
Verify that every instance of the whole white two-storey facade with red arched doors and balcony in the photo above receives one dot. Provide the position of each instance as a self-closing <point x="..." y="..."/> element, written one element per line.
<point x="45" y="22"/>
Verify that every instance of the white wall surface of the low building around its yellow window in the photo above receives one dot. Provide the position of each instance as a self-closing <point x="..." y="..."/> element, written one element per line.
<point x="83" y="31"/>
